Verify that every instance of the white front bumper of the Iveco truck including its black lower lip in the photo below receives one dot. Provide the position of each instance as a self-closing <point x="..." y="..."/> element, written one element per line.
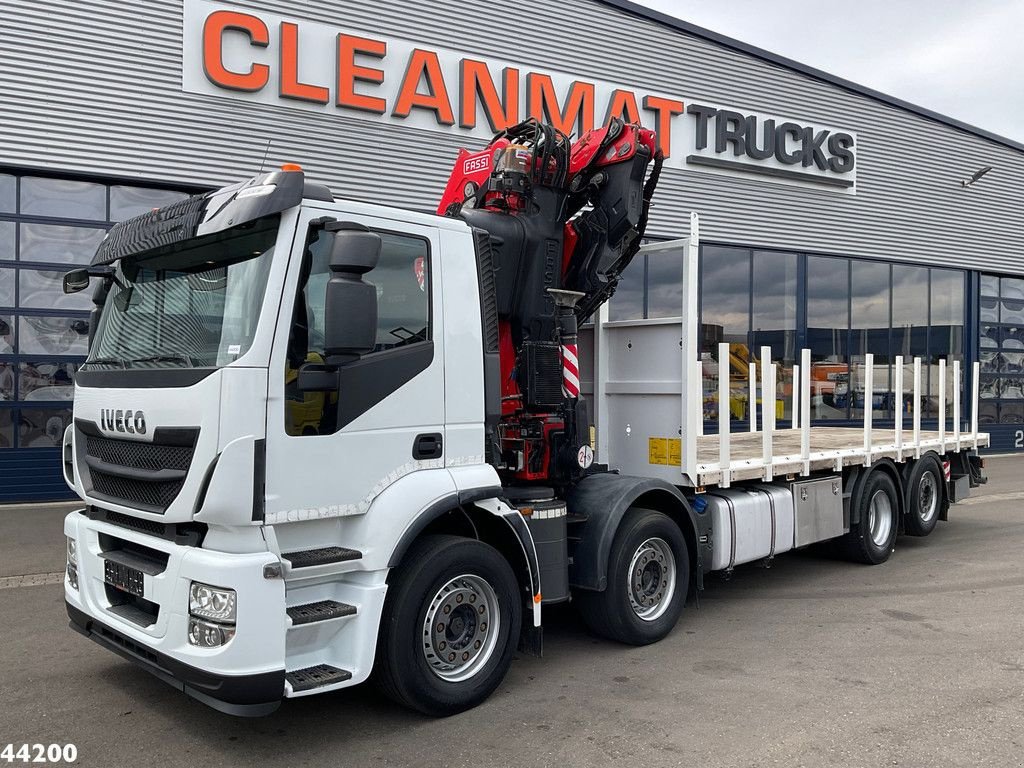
<point x="246" y="676"/>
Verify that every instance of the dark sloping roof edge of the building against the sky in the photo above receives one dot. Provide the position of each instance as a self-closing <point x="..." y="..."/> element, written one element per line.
<point x="629" y="7"/>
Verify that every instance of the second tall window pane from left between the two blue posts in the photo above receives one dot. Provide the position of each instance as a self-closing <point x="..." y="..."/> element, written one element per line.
<point x="870" y="307"/>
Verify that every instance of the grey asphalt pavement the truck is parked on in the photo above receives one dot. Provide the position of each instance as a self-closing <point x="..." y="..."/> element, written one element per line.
<point x="815" y="662"/>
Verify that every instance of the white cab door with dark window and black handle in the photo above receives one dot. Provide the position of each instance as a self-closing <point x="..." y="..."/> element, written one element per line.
<point x="330" y="454"/>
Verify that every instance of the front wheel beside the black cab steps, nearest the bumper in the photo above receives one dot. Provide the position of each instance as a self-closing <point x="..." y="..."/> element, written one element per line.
<point x="442" y="672"/>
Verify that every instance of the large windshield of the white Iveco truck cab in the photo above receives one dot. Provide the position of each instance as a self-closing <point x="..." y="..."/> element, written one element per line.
<point x="194" y="305"/>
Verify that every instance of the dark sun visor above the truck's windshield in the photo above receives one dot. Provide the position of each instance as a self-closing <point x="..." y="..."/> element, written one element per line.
<point x="203" y="215"/>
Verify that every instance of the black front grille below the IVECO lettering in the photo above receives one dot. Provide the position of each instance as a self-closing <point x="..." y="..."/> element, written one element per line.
<point x="145" y="476"/>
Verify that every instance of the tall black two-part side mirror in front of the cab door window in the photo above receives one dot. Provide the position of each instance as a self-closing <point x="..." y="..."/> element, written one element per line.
<point x="351" y="309"/>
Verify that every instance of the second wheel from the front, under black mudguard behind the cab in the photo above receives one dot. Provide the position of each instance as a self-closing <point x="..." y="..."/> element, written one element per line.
<point x="635" y="609"/>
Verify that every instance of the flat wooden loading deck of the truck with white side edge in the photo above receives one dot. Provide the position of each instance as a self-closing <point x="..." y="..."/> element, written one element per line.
<point x="832" y="449"/>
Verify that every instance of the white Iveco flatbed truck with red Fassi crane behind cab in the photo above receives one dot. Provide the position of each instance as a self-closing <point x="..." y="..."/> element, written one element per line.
<point x="305" y="461"/>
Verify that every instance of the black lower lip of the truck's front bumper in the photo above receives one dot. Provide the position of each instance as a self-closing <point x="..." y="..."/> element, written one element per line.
<point x="245" y="696"/>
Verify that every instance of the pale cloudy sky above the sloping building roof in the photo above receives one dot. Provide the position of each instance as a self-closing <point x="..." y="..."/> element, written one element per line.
<point x="964" y="59"/>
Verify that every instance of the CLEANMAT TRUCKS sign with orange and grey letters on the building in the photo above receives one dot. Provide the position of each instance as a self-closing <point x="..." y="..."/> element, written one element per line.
<point x="330" y="69"/>
